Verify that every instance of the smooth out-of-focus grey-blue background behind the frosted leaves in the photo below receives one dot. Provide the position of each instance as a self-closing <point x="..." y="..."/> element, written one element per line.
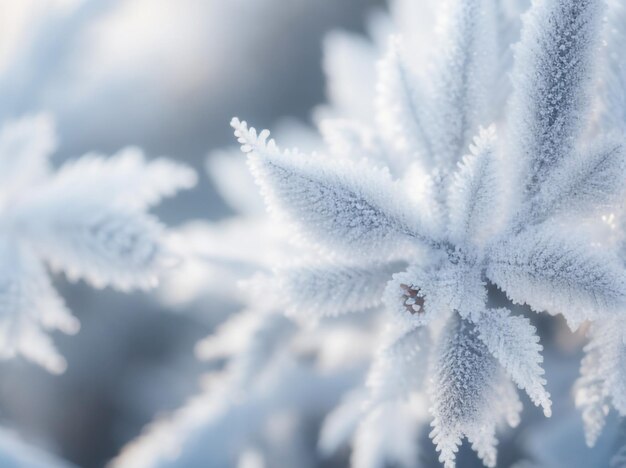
<point x="165" y="75"/>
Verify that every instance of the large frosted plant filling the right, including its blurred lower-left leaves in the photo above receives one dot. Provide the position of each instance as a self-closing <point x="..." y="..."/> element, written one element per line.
<point x="442" y="177"/>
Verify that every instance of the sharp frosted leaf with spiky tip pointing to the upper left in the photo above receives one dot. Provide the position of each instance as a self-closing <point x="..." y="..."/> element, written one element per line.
<point x="350" y="206"/>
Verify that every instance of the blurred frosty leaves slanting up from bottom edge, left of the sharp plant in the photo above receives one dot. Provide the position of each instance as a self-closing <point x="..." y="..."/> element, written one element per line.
<point x="274" y="382"/>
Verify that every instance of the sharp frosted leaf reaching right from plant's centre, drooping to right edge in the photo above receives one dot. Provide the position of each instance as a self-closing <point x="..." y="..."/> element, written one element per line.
<point x="553" y="273"/>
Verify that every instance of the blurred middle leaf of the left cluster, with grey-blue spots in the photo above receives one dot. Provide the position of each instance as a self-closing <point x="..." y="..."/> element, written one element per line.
<point x="89" y="241"/>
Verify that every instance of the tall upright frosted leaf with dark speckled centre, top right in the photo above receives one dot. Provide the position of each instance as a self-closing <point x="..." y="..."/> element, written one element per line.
<point x="551" y="79"/>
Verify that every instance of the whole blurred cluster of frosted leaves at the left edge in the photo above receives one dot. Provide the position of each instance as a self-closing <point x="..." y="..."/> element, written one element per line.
<point x="87" y="219"/>
